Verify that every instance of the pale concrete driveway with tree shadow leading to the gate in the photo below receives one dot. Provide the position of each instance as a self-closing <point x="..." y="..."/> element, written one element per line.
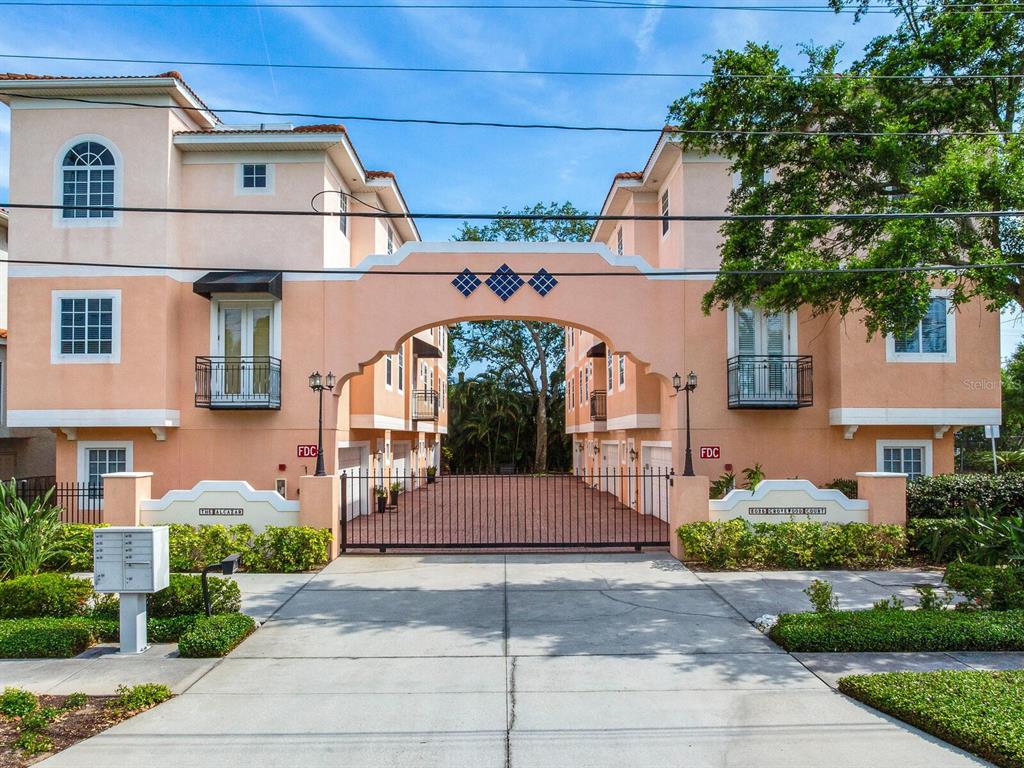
<point x="529" y="661"/>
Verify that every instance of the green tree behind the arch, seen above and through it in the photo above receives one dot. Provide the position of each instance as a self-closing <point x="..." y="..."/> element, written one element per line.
<point x="529" y="353"/>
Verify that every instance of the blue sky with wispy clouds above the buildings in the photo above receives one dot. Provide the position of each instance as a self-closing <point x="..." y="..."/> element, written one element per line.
<point x="439" y="168"/>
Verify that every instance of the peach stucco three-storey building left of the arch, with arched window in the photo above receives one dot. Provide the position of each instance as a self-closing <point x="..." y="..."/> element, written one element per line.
<point x="194" y="364"/>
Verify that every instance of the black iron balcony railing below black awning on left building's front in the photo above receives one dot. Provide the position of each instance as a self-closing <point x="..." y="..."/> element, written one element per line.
<point x="238" y="383"/>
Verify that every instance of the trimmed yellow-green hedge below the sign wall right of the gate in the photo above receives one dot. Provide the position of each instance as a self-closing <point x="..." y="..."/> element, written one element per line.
<point x="739" y="544"/>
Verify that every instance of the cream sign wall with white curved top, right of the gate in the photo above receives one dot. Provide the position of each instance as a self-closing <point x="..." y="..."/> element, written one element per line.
<point x="783" y="501"/>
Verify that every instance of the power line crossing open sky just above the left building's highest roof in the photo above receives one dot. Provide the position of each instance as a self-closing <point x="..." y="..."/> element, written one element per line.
<point x="490" y="71"/>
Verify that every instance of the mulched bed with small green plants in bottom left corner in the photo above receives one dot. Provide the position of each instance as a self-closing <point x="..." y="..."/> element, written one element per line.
<point x="45" y="726"/>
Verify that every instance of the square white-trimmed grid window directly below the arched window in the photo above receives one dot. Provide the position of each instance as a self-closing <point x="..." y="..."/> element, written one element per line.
<point x="87" y="327"/>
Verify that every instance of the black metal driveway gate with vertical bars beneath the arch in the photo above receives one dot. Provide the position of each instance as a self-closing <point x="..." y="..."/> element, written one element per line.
<point x="505" y="511"/>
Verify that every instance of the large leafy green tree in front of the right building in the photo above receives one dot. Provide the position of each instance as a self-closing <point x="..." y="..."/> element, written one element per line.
<point x="877" y="174"/>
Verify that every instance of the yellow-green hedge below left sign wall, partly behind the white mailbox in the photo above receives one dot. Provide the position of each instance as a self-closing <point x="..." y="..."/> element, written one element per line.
<point x="286" y="550"/>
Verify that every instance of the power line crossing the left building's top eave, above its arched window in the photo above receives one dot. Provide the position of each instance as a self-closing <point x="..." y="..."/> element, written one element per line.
<point x="533" y="126"/>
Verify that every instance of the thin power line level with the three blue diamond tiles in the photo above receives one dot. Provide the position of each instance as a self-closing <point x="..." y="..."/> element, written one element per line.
<point x="386" y="271"/>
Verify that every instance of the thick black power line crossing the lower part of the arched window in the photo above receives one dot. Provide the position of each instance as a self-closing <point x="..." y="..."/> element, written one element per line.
<point x="508" y="217"/>
